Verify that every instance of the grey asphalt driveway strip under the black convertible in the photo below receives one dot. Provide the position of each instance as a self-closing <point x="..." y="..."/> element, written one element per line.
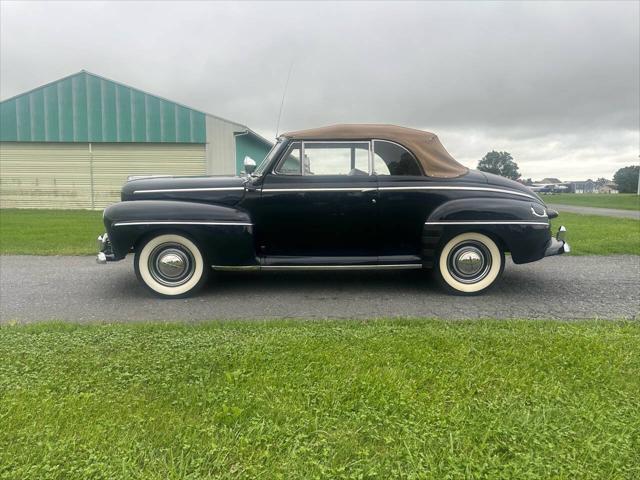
<point x="77" y="289"/>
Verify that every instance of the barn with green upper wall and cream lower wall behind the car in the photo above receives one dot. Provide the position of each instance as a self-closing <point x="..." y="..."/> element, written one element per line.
<point x="72" y="143"/>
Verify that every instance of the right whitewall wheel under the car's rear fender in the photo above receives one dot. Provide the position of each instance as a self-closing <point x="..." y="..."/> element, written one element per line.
<point x="469" y="264"/>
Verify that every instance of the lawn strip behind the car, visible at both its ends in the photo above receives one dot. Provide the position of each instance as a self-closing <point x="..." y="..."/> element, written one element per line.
<point x="74" y="232"/>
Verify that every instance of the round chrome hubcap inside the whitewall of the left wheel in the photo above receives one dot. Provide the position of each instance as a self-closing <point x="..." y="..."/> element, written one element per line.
<point x="171" y="264"/>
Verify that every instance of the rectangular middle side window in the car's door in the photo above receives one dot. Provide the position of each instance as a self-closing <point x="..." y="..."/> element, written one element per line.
<point x="339" y="158"/>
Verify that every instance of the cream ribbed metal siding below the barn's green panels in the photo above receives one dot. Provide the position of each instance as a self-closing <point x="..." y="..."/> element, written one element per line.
<point x="58" y="175"/>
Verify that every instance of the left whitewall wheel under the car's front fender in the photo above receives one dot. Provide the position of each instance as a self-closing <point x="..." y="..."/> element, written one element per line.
<point x="170" y="265"/>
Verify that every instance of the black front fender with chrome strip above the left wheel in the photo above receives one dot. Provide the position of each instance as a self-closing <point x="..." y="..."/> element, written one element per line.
<point x="224" y="234"/>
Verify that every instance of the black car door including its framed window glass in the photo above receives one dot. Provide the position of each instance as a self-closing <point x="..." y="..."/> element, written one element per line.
<point x="319" y="204"/>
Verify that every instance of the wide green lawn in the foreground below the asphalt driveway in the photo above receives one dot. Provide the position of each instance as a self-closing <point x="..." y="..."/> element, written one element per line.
<point x="351" y="399"/>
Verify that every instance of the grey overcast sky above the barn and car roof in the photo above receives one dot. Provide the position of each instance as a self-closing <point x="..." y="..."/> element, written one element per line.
<point x="555" y="84"/>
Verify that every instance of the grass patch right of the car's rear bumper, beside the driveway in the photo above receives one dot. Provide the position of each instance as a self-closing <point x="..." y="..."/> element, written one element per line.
<point x="598" y="235"/>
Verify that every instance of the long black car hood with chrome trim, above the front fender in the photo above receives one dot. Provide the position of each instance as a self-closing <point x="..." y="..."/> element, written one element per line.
<point x="221" y="190"/>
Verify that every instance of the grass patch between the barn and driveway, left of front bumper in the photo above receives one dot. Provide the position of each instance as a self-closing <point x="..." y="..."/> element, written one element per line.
<point x="49" y="232"/>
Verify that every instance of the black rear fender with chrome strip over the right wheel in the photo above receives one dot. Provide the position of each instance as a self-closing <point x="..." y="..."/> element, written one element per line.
<point x="522" y="226"/>
